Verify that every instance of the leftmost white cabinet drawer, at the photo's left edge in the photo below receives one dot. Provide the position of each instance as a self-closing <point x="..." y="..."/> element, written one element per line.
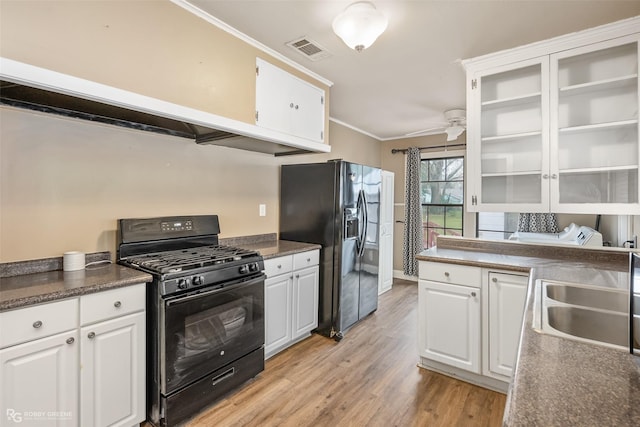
<point x="28" y="324"/>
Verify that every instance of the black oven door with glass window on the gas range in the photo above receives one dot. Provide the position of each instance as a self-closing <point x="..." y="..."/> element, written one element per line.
<point x="206" y="330"/>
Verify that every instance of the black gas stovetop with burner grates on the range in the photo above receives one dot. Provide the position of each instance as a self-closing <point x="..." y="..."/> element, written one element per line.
<point x="209" y="258"/>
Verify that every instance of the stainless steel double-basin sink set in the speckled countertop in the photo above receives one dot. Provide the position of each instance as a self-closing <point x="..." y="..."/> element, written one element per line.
<point x="582" y="312"/>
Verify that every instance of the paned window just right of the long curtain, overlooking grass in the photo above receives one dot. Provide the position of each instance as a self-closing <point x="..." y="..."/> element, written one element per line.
<point x="442" y="197"/>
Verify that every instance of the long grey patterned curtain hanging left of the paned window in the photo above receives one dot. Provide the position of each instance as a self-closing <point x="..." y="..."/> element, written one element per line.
<point x="412" y="242"/>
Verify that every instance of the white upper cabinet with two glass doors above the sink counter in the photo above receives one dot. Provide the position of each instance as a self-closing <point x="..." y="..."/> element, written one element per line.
<point x="553" y="126"/>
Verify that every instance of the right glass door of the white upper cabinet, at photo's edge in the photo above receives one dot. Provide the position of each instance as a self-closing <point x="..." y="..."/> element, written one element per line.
<point x="594" y="128"/>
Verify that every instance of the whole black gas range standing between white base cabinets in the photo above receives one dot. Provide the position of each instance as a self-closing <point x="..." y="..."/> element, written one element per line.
<point x="205" y="312"/>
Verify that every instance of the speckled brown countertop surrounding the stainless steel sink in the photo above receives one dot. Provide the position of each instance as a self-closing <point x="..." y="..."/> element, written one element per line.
<point x="558" y="381"/>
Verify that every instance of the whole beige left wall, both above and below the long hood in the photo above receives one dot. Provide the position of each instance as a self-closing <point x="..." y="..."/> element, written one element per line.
<point x="65" y="182"/>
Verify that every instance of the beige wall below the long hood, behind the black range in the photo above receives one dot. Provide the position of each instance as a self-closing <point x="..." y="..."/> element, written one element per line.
<point x="65" y="182"/>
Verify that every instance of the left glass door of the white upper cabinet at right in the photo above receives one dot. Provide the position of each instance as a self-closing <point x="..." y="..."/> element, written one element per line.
<point x="508" y="138"/>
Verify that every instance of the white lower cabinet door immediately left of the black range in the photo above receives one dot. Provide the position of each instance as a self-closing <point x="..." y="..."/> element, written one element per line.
<point x="112" y="380"/>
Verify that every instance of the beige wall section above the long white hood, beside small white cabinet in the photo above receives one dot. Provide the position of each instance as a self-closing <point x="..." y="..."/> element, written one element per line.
<point x="153" y="48"/>
